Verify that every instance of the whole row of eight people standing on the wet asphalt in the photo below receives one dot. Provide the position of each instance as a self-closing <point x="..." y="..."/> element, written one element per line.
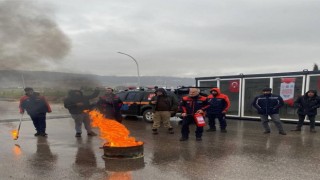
<point x="214" y="106"/>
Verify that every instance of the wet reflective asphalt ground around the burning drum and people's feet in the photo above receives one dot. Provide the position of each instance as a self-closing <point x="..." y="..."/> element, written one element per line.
<point x="242" y="153"/>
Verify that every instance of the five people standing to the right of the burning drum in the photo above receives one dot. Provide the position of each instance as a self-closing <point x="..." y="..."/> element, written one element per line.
<point x="216" y="105"/>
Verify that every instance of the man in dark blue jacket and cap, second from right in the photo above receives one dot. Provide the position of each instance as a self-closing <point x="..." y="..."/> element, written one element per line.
<point x="268" y="104"/>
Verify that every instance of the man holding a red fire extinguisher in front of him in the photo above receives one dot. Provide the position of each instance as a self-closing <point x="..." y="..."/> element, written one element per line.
<point x="193" y="107"/>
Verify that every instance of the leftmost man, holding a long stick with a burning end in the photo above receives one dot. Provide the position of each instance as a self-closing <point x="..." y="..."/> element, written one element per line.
<point x="37" y="107"/>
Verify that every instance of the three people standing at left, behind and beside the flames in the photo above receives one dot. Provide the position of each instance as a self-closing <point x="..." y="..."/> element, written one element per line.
<point x="76" y="102"/>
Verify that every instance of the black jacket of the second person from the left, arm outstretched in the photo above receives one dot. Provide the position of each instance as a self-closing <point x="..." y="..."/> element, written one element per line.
<point x="71" y="101"/>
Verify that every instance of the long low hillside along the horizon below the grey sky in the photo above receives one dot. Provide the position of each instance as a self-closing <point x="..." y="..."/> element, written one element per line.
<point x="45" y="79"/>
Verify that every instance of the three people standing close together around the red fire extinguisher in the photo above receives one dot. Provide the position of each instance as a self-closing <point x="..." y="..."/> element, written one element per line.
<point x="215" y="106"/>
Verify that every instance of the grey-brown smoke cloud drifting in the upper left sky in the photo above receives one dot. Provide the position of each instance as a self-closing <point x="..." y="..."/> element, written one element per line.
<point x="29" y="36"/>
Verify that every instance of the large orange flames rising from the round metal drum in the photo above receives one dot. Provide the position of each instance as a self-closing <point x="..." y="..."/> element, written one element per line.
<point x="115" y="133"/>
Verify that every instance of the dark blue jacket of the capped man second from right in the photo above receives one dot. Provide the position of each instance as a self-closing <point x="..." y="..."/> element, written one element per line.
<point x="267" y="104"/>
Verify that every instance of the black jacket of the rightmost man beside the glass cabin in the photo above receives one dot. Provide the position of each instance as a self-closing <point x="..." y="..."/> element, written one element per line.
<point x="307" y="105"/>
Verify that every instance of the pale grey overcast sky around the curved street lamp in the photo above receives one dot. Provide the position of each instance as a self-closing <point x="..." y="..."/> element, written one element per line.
<point x="187" y="38"/>
